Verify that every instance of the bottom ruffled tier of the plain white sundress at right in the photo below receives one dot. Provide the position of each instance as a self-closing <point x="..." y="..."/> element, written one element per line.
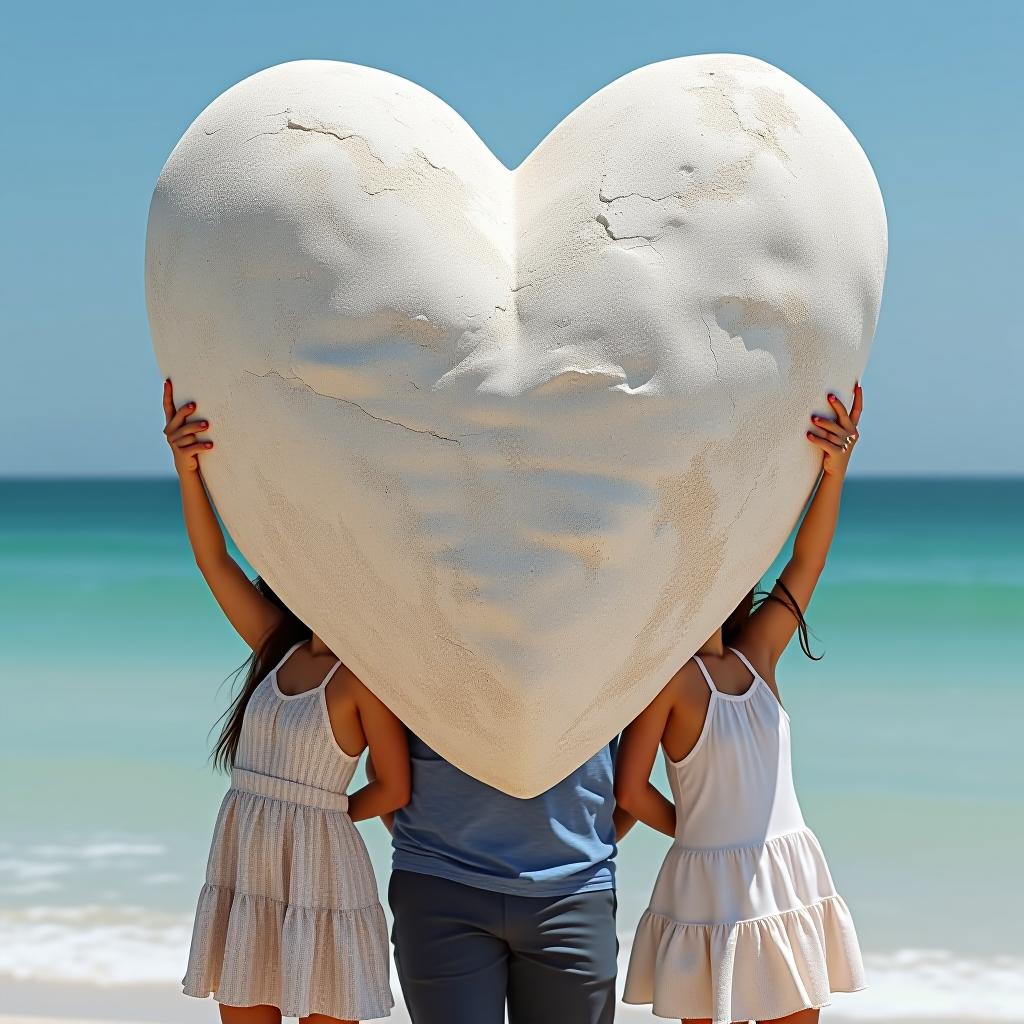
<point x="760" y="969"/>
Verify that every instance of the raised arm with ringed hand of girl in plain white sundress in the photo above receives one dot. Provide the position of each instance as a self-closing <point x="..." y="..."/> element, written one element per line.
<point x="773" y="625"/>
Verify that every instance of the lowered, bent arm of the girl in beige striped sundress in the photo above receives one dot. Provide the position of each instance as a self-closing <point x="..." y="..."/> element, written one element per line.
<point x="389" y="769"/>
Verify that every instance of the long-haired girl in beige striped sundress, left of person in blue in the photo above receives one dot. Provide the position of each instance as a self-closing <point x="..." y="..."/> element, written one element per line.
<point x="289" y="922"/>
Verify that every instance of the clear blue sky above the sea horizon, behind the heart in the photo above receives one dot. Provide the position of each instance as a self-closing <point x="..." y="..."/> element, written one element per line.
<point x="98" y="95"/>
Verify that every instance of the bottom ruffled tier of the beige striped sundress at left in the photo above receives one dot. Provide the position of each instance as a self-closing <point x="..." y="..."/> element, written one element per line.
<point x="250" y="951"/>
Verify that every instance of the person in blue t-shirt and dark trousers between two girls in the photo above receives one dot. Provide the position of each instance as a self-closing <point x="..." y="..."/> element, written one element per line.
<point x="504" y="902"/>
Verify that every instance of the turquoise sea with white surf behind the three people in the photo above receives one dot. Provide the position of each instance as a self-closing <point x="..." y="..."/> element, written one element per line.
<point x="907" y="743"/>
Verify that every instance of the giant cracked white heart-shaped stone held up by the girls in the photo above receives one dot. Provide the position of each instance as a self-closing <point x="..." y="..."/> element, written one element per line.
<point x="515" y="443"/>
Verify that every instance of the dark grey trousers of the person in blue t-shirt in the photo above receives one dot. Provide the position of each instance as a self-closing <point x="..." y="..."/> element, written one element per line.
<point x="463" y="952"/>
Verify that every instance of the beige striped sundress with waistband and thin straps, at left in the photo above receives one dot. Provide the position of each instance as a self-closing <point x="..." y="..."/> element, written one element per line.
<point x="290" y="916"/>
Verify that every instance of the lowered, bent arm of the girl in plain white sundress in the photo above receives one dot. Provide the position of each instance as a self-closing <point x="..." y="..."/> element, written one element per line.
<point x="634" y="791"/>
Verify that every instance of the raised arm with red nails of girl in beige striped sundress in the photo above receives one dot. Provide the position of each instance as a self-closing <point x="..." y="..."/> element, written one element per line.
<point x="251" y="615"/>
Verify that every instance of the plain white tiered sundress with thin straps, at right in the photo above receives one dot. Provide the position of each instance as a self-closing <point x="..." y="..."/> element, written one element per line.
<point x="745" y="923"/>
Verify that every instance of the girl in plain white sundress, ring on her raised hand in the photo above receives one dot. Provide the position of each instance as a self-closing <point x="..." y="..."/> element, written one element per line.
<point x="745" y="923"/>
